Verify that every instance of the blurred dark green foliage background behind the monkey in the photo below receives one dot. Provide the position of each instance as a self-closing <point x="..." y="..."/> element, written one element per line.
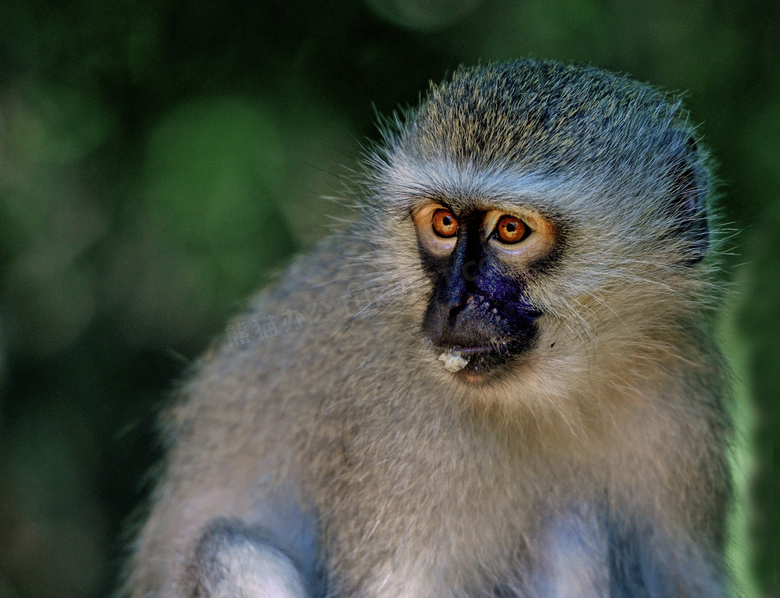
<point x="160" y="160"/>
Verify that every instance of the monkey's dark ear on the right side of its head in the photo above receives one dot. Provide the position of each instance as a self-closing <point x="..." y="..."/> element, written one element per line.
<point x="689" y="190"/>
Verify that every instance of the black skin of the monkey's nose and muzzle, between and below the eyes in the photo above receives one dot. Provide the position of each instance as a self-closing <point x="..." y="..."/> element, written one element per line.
<point x="477" y="307"/>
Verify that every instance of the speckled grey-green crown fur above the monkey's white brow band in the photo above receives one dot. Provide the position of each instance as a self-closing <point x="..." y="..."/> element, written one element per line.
<point x="618" y="122"/>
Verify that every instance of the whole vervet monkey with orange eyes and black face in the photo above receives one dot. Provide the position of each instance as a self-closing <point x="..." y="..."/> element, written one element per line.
<point x="500" y="380"/>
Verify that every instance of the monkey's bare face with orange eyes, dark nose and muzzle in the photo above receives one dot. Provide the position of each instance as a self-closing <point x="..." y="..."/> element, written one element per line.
<point x="480" y="262"/>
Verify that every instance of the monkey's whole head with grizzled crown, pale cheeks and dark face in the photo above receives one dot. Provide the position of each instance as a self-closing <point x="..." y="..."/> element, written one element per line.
<point x="542" y="204"/>
